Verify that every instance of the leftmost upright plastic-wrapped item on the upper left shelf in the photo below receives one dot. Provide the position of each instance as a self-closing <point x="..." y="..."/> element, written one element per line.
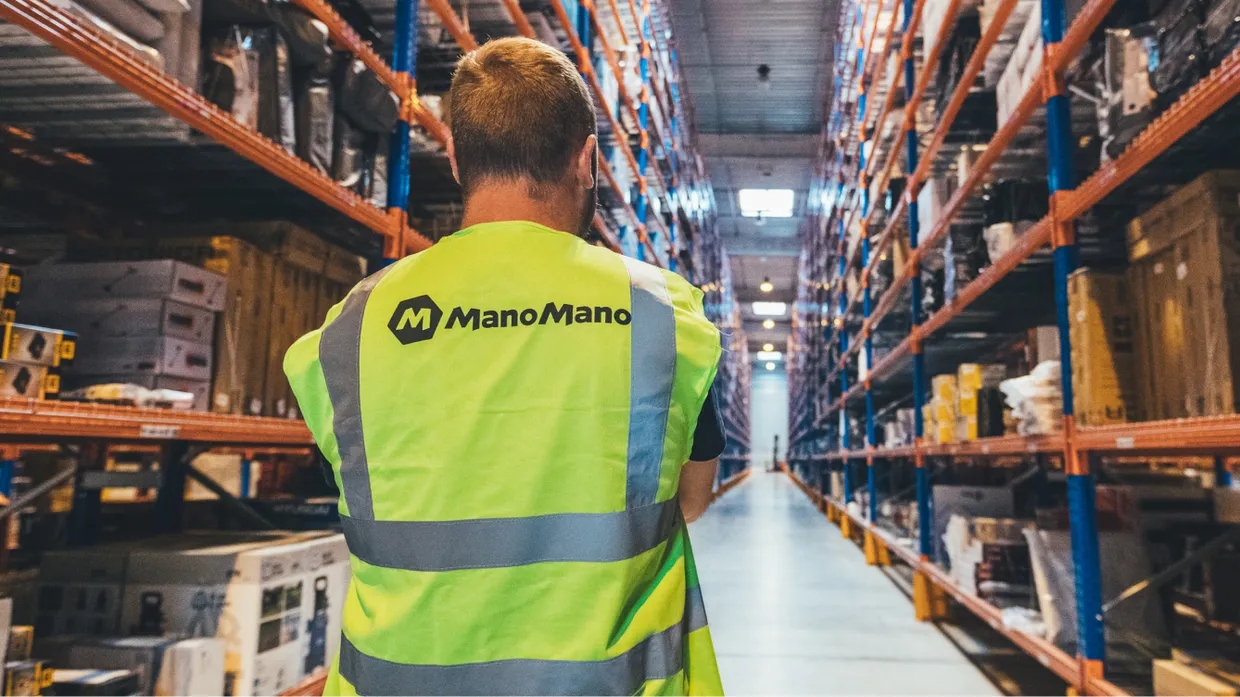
<point x="231" y="75"/>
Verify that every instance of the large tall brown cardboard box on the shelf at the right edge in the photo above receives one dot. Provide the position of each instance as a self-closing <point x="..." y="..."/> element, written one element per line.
<point x="1185" y="276"/>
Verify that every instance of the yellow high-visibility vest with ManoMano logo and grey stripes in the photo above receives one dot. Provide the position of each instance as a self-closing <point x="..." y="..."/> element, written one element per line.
<point x="508" y="415"/>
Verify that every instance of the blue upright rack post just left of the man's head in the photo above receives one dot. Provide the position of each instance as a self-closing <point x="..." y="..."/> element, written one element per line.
<point x="405" y="59"/>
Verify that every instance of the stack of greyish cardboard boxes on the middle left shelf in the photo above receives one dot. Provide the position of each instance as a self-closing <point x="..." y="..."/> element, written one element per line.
<point x="142" y="323"/>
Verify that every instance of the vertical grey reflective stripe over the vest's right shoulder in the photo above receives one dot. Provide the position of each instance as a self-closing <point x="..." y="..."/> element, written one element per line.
<point x="653" y="369"/>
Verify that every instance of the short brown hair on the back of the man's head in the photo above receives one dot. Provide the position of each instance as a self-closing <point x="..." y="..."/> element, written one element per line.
<point x="519" y="110"/>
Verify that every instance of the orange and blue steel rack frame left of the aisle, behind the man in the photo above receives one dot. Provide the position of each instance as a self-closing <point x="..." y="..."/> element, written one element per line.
<point x="671" y="199"/>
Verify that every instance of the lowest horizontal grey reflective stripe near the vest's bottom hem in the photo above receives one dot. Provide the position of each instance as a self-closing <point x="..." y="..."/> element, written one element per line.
<point x="658" y="658"/>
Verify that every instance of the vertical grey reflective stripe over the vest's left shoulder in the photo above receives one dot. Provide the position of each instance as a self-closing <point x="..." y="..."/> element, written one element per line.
<point x="340" y="347"/>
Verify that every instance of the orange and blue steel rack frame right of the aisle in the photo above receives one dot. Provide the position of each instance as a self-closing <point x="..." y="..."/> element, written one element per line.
<point x="852" y="163"/>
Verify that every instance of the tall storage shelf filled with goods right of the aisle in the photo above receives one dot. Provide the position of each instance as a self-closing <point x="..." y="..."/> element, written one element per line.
<point x="914" y="113"/>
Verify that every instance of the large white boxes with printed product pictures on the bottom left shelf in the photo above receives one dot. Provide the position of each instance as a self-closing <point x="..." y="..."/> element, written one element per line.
<point x="273" y="598"/>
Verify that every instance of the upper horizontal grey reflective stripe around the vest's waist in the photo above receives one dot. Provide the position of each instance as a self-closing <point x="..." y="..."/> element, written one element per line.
<point x="443" y="546"/>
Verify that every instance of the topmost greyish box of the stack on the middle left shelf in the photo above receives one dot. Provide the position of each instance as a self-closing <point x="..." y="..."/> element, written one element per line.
<point x="164" y="278"/>
